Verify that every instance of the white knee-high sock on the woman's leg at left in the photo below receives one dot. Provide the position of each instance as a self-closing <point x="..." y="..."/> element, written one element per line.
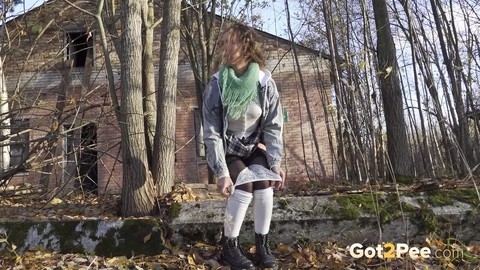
<point x="237" y="206"/>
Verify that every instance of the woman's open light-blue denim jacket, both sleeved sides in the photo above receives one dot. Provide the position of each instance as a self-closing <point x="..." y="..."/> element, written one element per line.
<point x="215" y="123"/>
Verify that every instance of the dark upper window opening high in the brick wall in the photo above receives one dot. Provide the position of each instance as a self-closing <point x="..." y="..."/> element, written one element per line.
<point x="80" y="46"/>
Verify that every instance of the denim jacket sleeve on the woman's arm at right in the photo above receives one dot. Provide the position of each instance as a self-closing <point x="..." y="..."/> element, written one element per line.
<point x="272" y="132"/>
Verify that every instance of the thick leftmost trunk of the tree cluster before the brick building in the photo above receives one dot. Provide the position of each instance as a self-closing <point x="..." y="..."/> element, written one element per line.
<point x="138" y="192"/>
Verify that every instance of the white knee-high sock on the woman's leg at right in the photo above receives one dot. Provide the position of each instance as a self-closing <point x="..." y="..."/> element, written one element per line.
<point x="262" y="209"/>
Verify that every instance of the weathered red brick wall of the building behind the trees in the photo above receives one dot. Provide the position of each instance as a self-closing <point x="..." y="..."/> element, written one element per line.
<point x="36" y="76"/>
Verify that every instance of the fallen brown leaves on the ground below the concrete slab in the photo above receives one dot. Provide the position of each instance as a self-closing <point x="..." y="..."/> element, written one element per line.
<point x="203" y="256"/>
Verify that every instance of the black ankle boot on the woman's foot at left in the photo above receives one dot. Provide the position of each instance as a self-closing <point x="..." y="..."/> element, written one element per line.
<point x="233" y="256"/>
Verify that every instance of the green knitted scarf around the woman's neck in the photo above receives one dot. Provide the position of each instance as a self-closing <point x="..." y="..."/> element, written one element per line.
<point x="238" y="92"/>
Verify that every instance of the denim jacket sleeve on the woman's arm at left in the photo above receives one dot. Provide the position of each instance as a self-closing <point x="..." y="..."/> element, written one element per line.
<point x="213" y="130"/>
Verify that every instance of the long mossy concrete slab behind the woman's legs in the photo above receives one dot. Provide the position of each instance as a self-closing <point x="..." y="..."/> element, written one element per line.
<point x="343" y="219"/>
